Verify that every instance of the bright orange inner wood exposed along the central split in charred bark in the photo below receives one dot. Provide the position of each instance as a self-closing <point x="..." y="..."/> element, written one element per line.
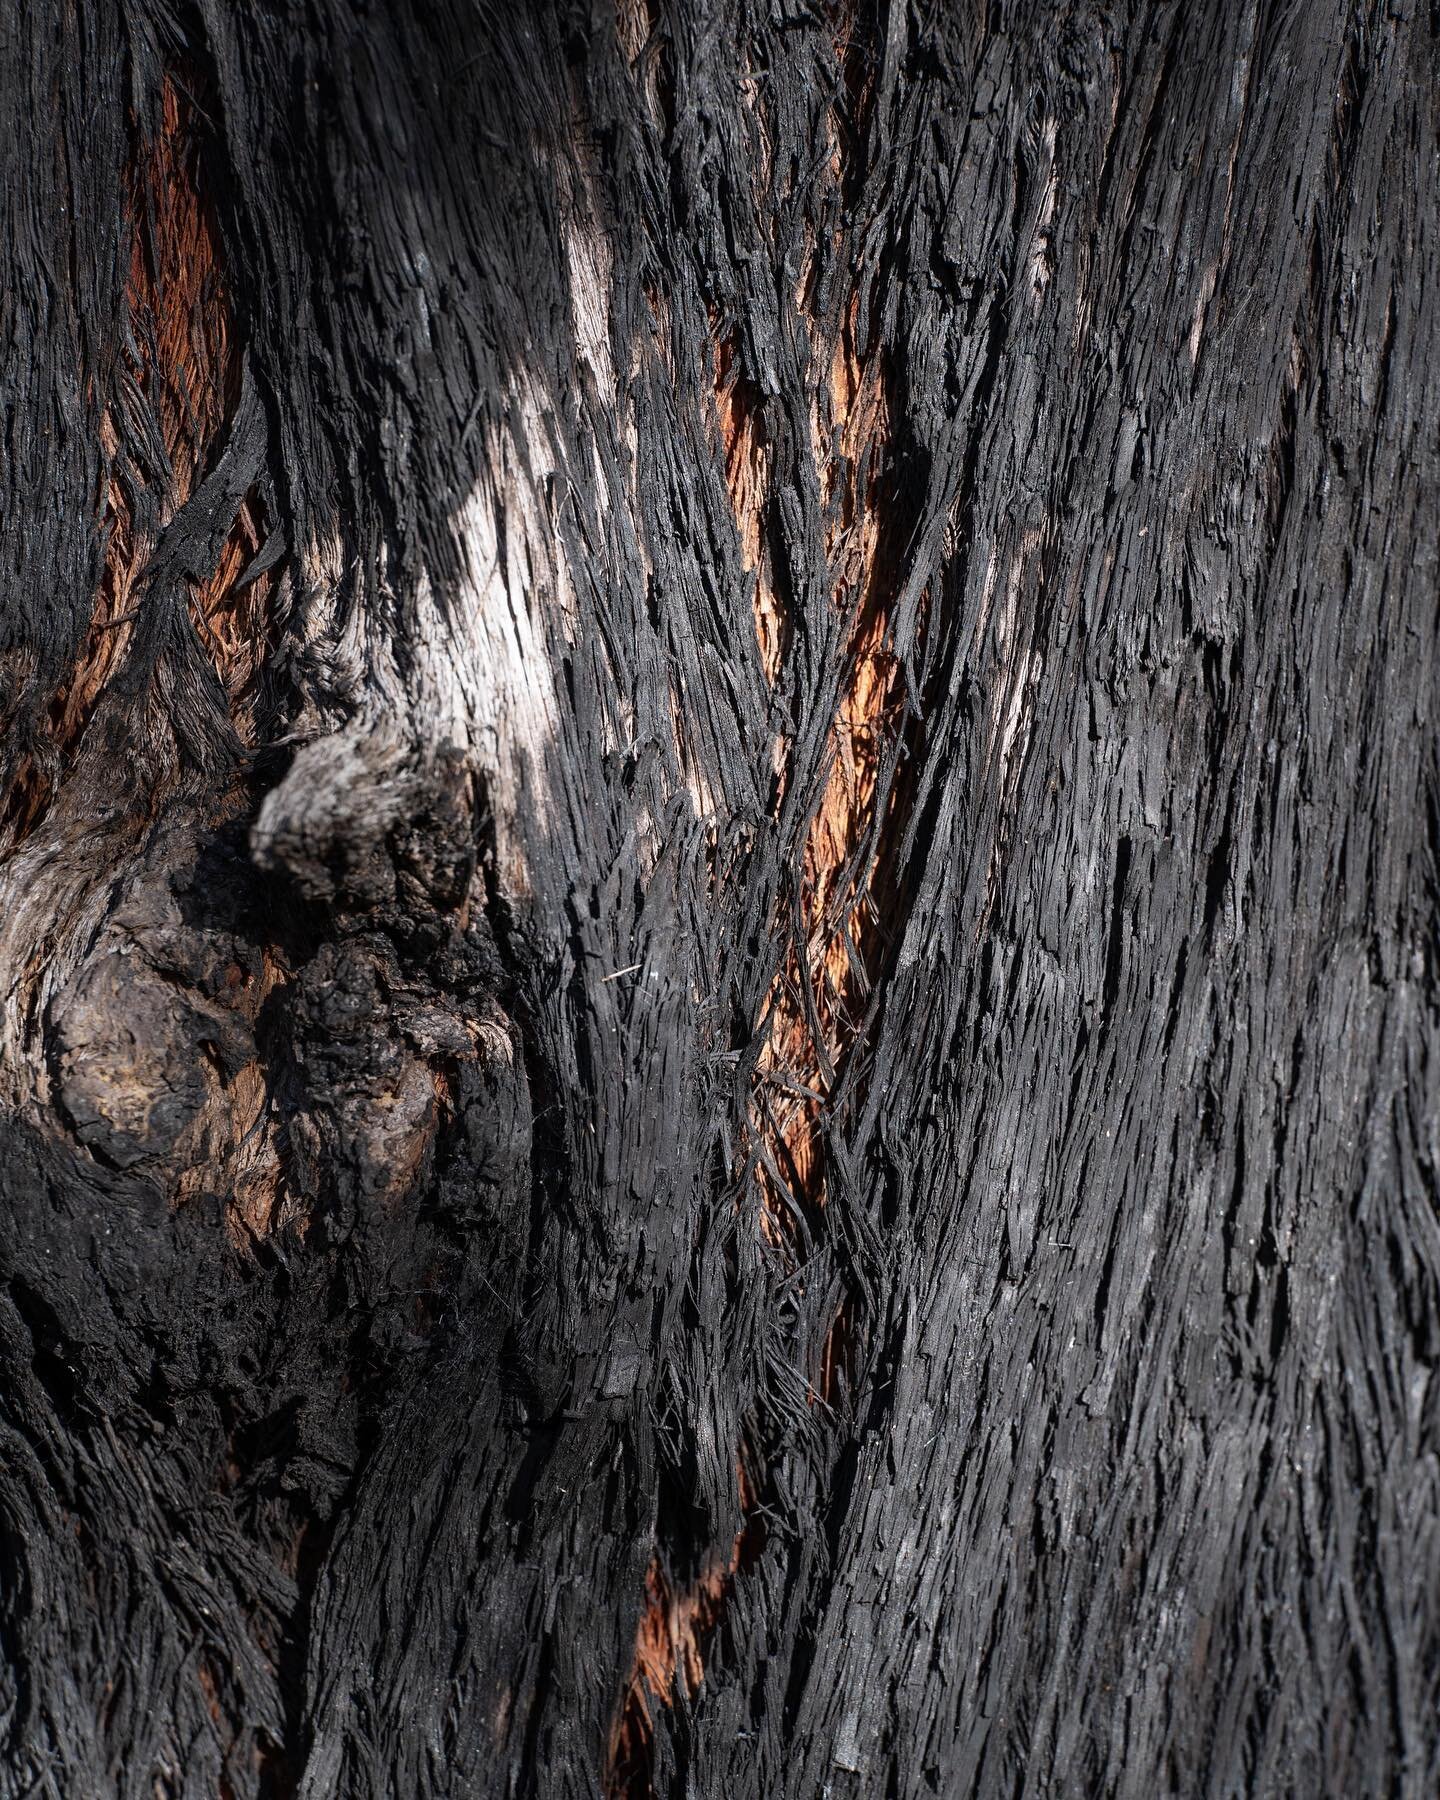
<point x="818" y="1000"/>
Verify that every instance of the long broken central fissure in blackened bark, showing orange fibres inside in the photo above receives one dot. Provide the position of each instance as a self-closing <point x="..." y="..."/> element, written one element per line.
<point x="836" y="933"/>
